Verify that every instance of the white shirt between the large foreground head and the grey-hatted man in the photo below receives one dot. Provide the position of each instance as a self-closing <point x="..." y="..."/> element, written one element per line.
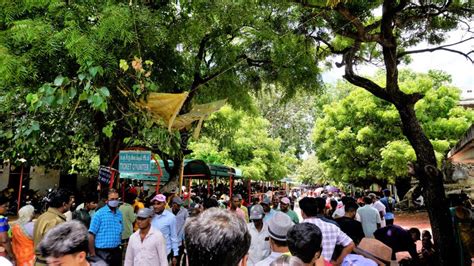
<point x="259" y="248"/>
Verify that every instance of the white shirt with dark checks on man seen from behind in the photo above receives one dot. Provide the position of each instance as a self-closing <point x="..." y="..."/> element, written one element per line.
<point x="332" y="235"/>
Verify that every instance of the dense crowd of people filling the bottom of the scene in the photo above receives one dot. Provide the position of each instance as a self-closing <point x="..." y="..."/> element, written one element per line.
<point x="133" y="228"/>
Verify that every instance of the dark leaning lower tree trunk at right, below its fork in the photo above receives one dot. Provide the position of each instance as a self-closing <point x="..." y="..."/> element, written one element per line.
<point x="431" y="180"/>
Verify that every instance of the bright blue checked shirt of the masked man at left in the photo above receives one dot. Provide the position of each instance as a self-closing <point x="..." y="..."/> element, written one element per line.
<point x="107" y="228"/>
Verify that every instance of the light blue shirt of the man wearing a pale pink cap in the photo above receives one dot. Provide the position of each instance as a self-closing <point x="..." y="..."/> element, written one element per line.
<point x="166" y="223"/>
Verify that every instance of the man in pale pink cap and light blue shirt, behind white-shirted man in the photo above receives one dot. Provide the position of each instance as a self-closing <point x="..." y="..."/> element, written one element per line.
<point x="165" y="222"/>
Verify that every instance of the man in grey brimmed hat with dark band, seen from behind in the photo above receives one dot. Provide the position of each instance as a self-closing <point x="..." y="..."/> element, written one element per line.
<point x="278" y="227"/>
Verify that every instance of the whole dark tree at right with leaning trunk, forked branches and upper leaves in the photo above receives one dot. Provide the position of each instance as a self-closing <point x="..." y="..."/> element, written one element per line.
<point x="351" y="29"/>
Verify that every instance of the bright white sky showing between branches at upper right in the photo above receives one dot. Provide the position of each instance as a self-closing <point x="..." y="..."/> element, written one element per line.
<point x="461" y="70"/>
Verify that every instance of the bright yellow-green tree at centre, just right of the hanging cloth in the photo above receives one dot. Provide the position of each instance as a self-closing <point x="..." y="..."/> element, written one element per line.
<point x="234" y="138"/>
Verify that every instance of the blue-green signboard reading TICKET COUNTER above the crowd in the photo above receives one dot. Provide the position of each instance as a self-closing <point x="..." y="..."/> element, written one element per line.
<point x="135" y="162"/>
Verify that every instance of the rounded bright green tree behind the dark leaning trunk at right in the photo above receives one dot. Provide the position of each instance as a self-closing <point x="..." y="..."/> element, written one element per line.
<point x="357" y="142"/>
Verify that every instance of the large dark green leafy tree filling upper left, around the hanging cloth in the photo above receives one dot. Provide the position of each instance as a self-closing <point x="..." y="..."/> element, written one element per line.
<point x="62" y="68"/>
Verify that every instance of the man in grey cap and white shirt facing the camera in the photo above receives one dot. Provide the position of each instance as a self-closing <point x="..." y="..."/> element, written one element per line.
<point x="146" y="246"/>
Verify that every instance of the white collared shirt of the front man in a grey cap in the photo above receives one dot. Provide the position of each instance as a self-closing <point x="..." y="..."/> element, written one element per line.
<point x="150" y="252"/>
